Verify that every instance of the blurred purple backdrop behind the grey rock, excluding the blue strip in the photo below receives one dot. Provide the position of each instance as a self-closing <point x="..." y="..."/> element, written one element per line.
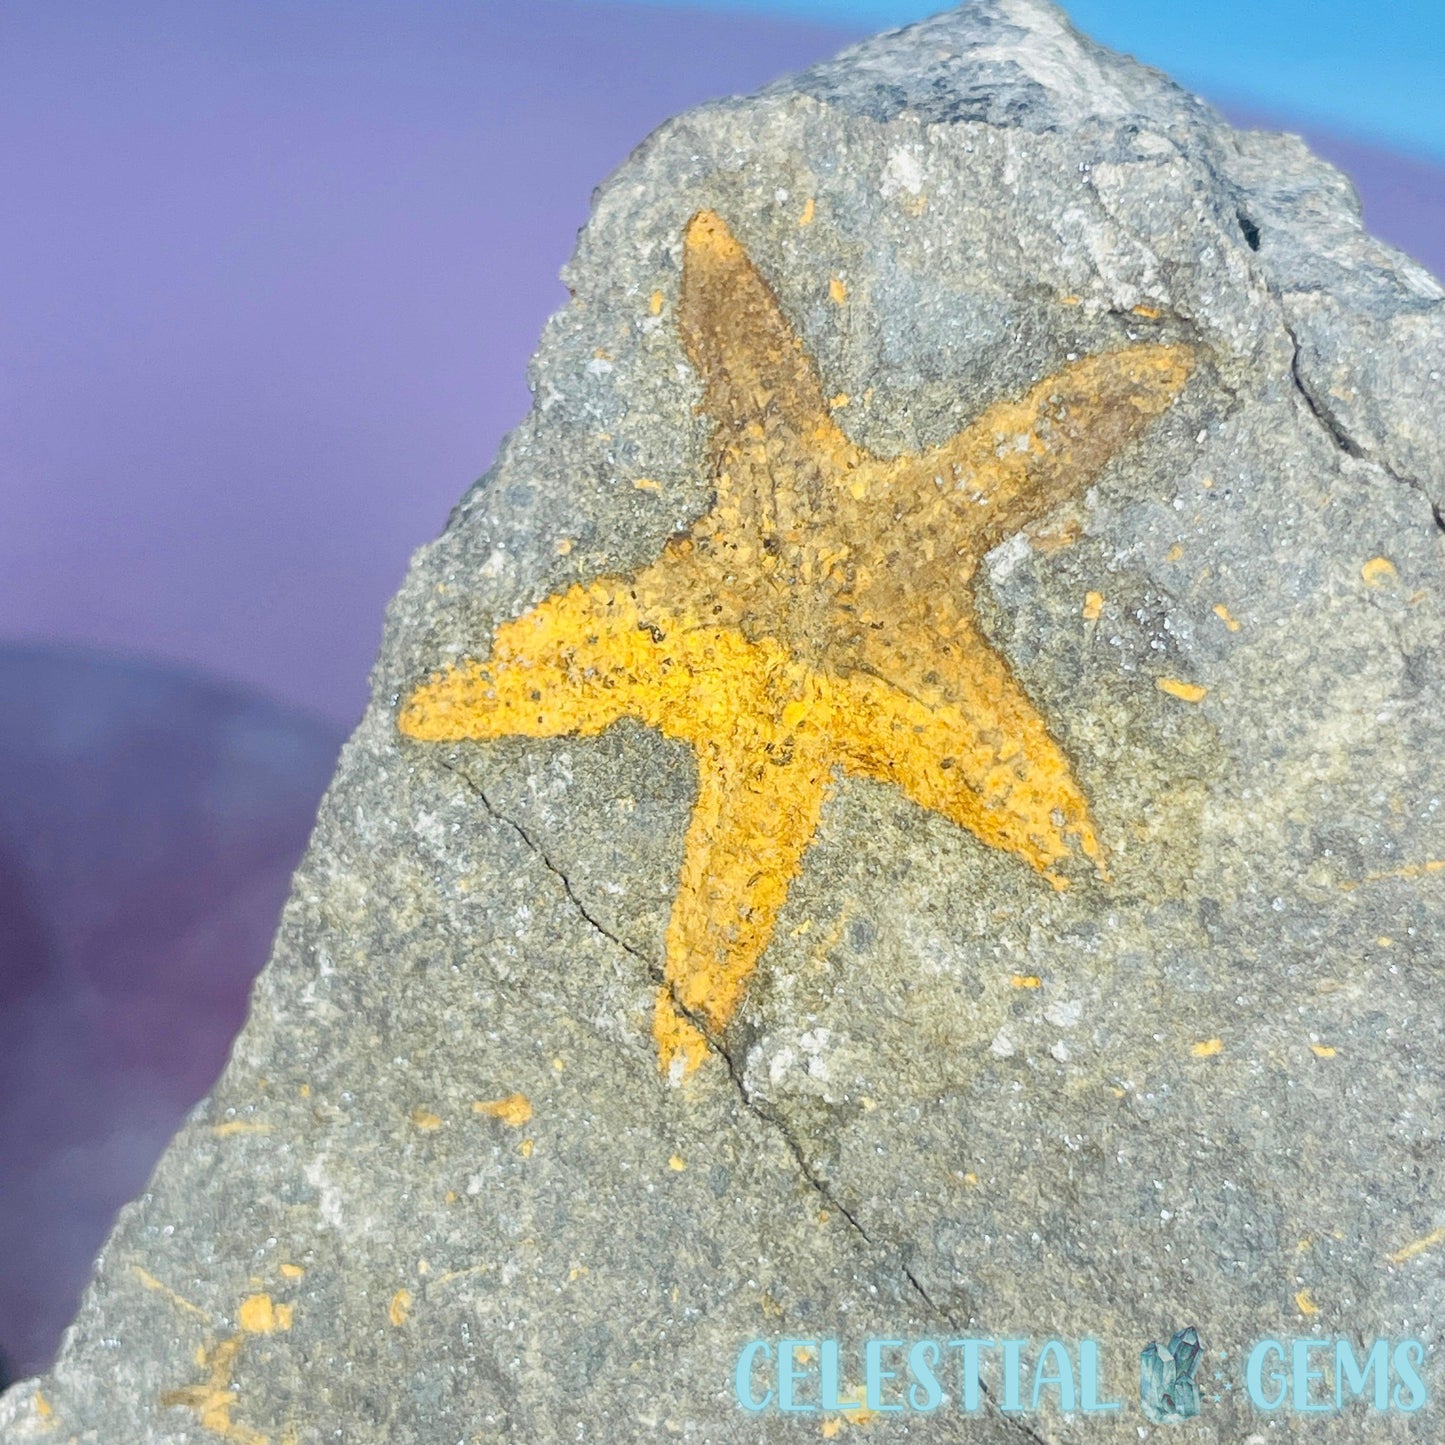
<point x="269" y="280"/>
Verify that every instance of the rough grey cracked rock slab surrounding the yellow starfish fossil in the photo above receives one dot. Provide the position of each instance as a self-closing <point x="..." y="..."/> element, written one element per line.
<point x="444" y="1191"/>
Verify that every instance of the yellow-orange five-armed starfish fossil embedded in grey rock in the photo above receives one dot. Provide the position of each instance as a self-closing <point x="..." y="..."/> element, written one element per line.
<point x="817" y="618"/>
